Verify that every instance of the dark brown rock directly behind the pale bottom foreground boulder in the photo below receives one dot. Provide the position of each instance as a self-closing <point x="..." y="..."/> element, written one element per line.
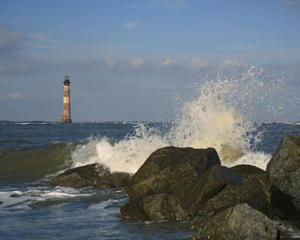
<point x="254" y="191"/>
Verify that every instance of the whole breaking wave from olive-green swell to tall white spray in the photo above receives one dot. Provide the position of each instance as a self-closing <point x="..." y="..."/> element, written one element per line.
<point x="220" y="116"/>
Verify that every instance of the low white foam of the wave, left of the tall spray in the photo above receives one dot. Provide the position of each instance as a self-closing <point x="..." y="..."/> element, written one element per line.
<point x="125" y="156"/>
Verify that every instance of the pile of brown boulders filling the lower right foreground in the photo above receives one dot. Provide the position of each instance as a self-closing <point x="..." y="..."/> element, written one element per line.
<point x="242" y="202"/>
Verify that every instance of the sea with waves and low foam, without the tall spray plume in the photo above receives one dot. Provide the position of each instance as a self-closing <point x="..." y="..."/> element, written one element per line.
<point x="31" y="153"/>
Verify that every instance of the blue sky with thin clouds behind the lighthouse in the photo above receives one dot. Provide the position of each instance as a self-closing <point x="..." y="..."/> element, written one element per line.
<point x="128" y="59"/>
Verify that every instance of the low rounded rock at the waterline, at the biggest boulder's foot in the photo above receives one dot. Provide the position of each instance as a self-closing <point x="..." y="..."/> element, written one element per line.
<point x="155" y="207"/>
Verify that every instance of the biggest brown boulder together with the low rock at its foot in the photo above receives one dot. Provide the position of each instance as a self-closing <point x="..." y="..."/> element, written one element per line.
<point x="174" y="183"/>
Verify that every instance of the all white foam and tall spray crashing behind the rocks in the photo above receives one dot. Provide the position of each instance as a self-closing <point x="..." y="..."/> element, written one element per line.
<point x="221" y="116"/>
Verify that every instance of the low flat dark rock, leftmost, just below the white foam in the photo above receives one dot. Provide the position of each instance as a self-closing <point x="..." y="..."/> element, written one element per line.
<point x="91" y="175"/>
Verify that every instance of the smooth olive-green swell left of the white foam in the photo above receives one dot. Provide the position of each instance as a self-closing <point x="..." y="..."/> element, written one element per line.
<point x="33" y="163"/>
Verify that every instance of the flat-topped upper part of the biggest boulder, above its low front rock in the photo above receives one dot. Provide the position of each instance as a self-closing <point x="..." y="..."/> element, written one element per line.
<point x="171" y="170"/>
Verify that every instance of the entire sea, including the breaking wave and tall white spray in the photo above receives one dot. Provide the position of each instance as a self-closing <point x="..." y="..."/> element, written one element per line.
<point x="219" y="115"/>
